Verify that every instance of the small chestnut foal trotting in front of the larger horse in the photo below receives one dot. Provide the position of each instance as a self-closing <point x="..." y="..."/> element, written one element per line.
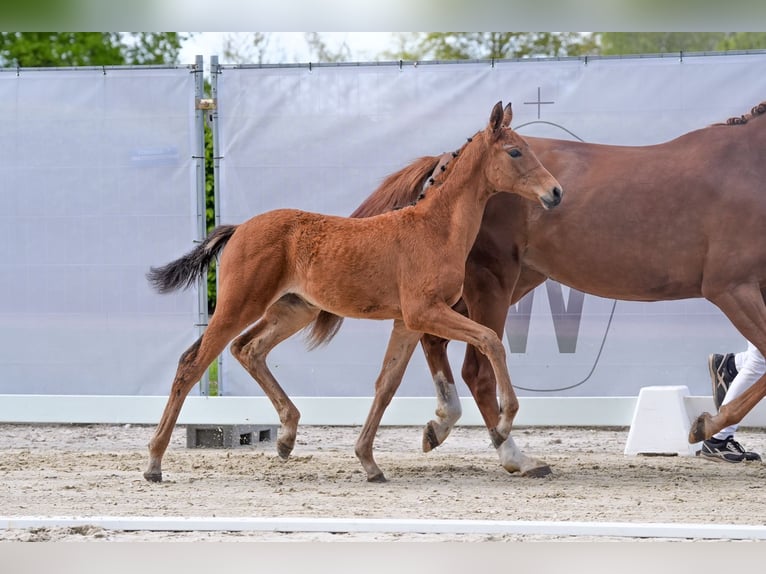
<point x="407" y="265"/>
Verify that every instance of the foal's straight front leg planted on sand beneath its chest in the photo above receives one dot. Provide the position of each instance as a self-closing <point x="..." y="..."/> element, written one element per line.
<point x="401" y="344"/>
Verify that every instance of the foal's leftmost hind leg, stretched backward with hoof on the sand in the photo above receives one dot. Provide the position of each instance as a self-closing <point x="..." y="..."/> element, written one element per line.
<point x="191" y="366"/>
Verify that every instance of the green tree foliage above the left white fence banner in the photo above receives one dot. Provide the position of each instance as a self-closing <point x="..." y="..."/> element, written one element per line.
<point x="41" y="49"/>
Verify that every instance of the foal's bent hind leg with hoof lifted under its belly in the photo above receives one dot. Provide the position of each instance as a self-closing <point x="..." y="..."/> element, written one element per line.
<point x="287" y="316"/>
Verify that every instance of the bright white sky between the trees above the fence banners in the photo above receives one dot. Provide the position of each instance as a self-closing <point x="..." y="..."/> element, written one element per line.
<point x="290" y="47"/>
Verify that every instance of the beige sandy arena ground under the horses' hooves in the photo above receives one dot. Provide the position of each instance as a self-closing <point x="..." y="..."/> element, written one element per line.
<point x="96" y="470"/>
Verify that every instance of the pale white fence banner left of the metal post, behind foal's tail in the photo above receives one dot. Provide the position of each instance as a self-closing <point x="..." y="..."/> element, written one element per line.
<point x="97" y="183"/>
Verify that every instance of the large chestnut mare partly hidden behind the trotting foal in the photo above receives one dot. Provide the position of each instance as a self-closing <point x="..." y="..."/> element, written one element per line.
<point x="681" y="219"/>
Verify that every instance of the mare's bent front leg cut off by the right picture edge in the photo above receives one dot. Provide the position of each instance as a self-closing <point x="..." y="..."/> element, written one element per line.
<point x="745" y="308"/>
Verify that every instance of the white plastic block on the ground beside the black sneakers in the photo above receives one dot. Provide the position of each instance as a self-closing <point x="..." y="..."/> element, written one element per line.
<point x="661" y="423"/>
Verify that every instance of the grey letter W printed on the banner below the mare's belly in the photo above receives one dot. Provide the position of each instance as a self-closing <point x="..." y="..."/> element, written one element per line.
<point x="566" y="318"/>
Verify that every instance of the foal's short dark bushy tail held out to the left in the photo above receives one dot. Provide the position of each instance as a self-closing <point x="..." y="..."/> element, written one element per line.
<point x="183" y="272"/>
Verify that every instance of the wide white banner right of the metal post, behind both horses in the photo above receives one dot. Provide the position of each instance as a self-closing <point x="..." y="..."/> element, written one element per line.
<point x="322" y="138"/>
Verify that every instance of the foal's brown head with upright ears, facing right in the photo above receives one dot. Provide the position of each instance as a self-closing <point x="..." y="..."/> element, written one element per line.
<point x="511" y="166"/>
